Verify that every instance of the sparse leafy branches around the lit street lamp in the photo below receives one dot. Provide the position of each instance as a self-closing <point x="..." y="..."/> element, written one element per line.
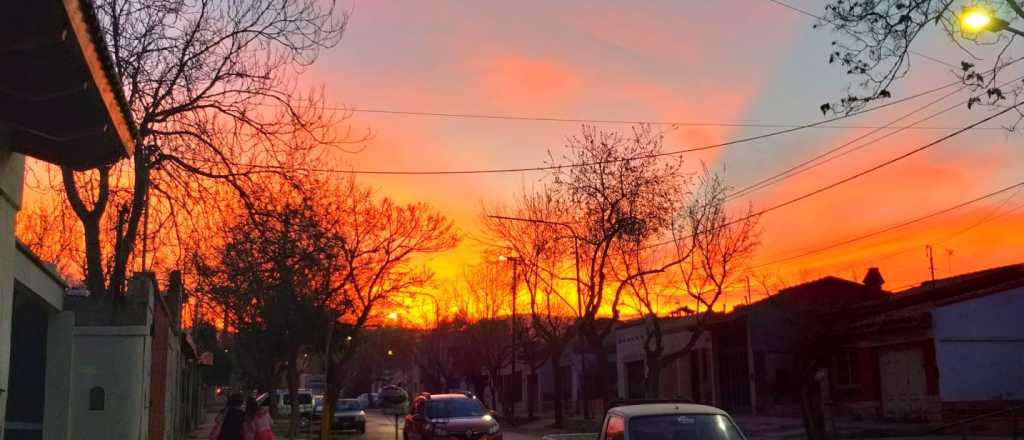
<point x="876" y="39"/>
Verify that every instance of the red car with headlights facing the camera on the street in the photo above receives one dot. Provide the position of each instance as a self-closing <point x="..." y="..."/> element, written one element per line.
<point x="460" y="417"/>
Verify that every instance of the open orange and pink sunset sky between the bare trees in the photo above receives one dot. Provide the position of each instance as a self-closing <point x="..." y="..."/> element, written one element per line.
<point x="718" y="62"/>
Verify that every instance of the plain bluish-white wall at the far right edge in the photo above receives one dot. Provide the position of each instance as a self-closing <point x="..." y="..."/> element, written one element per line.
<point x="979" y="347"/>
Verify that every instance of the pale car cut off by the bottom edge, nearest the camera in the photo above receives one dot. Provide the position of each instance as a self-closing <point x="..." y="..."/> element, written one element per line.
<point x="668" y="421"/>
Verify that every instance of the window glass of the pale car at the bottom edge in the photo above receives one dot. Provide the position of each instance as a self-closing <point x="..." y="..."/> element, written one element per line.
<point x="679" y="427"/>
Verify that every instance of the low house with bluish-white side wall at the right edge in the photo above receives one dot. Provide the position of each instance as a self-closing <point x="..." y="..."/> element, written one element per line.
<point x="940" y="353"/>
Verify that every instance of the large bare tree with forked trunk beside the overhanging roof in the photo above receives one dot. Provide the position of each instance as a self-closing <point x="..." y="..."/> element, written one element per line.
<point x="212" y="90"/>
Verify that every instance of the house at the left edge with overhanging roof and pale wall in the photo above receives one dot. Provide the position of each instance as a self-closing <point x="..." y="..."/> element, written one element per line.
<point x="59" y="104"/>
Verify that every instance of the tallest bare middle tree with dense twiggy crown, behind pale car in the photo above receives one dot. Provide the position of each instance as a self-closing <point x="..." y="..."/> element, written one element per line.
<point x="620" y="190"/>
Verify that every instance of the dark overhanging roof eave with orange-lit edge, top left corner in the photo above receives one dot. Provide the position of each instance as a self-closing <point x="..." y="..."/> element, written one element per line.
<point x="58" y="92"/>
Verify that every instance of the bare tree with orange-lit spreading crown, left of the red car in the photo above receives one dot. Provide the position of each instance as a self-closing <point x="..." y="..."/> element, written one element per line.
<point x="378" y="241"/>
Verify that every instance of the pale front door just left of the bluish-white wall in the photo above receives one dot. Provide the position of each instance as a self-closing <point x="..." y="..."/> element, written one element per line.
<point x="904" y="385"/>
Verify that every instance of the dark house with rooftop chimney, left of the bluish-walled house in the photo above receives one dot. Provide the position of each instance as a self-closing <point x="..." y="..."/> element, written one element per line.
<point x="766" y="351"/>
